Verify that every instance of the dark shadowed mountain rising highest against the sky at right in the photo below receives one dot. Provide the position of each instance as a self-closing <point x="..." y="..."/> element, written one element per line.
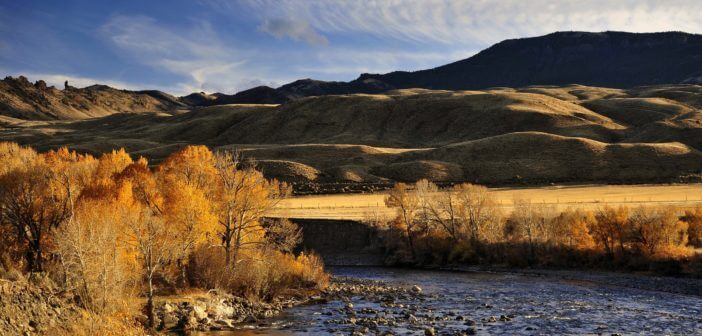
<point x="607" y="59"/>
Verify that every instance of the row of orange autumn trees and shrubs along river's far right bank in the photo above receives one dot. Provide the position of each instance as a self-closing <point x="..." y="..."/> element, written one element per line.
<point x="463" y="224"/>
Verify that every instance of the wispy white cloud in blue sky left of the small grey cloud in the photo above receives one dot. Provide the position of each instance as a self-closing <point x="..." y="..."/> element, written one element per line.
<point x="195" y="53"/>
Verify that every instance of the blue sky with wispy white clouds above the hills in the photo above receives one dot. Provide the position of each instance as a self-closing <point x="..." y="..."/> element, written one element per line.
<point x="183" y="46"/>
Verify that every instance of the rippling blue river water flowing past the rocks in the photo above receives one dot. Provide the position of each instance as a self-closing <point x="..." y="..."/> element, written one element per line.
<point x="454" y="303"/>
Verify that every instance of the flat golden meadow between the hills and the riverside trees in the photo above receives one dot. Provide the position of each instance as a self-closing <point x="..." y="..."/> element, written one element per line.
<point x="363" y="206"/>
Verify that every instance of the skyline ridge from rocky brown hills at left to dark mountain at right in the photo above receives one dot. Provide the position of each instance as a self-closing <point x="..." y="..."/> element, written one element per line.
<point x="604" y="59"/>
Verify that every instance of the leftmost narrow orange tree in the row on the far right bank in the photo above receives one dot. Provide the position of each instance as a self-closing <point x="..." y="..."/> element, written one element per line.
<point x="407" y="205"/>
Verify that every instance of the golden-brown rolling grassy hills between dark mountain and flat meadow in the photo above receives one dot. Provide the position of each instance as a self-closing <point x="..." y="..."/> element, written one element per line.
<point x="535" y="134"/>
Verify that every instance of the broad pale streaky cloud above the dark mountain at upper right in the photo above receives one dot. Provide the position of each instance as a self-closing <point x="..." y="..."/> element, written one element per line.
<point x="482" y="21"/>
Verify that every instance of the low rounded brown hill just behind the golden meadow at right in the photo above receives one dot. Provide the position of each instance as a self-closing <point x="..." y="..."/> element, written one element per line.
<point x="541" y="157"/>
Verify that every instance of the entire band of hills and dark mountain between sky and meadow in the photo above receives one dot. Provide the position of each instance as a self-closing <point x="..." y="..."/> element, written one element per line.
<point x="635" y="116"/>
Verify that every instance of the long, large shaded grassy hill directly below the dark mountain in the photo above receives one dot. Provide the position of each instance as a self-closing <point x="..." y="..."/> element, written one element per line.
<point x="418" y="119"/>
